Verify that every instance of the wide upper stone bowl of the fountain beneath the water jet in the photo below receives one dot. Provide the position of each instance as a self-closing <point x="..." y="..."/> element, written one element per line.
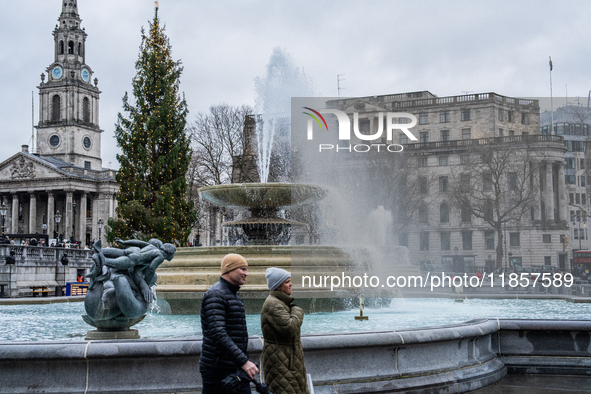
<point x="262" y="195"/>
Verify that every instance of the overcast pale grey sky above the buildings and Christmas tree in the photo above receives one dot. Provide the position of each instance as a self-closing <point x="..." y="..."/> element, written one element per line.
<point x="446" y="47"/>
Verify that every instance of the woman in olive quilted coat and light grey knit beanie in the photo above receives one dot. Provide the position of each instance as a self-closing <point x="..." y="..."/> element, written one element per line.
<point x="283" y="356"/>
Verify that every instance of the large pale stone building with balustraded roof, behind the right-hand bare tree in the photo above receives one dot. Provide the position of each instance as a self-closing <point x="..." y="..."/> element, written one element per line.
<point x="453" y="133"/>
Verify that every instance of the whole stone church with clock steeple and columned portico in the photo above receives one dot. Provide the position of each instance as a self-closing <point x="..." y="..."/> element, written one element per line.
<point x="59" y="186"/>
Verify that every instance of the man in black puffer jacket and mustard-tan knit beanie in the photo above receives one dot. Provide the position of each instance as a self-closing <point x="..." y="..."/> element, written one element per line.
<point x="223" y="323"/>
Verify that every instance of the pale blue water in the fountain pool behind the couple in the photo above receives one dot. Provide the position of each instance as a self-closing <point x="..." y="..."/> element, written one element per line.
<point x="52" y="322"/>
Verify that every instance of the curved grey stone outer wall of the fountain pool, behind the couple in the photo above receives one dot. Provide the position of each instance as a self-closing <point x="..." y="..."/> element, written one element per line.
<point x="457" y="358"/>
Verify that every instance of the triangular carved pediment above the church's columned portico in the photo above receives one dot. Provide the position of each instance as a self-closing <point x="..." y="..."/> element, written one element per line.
<point x="22" y="167"/>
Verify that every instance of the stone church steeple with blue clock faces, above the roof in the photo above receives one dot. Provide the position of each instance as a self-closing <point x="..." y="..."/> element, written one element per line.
<point x="68" y="126"/>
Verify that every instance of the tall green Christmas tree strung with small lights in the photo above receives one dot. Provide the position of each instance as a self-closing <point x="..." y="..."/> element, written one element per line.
<point x="155" y="150"/>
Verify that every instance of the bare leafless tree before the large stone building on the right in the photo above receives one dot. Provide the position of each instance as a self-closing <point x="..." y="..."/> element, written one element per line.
<point x="499" y="184"/>
